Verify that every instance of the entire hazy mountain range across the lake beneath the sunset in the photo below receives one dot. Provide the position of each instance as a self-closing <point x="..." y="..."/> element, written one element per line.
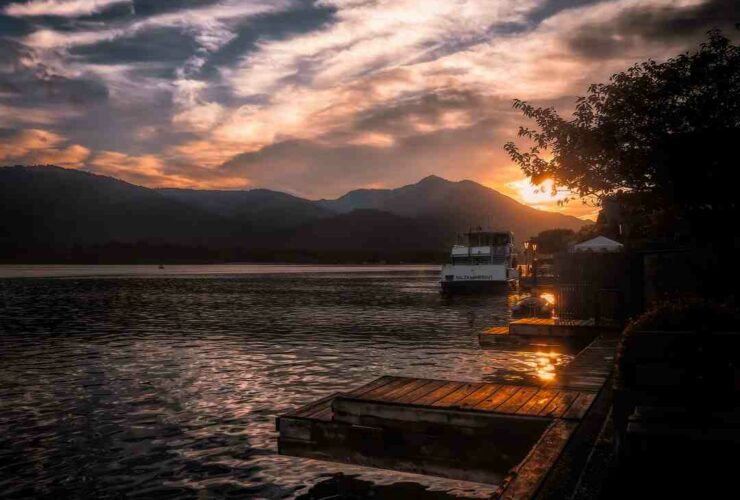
<point x="52" y="214"/>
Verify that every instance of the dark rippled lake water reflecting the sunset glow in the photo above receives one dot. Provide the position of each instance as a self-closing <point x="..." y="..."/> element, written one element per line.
<point x="144" y="382"/>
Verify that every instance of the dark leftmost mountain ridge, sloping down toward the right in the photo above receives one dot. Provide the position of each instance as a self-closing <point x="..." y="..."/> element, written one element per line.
<point x="56" y="206"/>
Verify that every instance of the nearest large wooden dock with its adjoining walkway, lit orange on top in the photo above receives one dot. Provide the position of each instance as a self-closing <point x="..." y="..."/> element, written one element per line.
<point x="497" y="433"/>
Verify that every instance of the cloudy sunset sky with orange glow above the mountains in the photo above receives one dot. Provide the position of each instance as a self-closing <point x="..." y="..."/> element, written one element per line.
<point x="313" y="97"/>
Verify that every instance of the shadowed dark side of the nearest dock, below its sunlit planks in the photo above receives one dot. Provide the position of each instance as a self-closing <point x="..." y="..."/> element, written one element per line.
<point x="466" y="445"/>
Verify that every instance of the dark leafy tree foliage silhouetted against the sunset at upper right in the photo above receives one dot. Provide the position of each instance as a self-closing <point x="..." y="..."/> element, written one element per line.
<point x="662" y="129"/>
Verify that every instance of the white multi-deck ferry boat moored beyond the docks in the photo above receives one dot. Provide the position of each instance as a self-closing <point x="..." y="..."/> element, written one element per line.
<point x="486" y="262"/>
